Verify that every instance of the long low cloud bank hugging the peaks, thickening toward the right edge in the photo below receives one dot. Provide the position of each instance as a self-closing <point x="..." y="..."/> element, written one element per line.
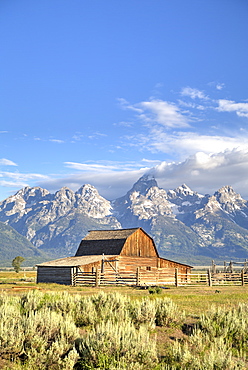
<point x="204" y="173"/>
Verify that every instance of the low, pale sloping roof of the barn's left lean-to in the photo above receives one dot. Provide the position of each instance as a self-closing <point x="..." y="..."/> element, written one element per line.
<point x="73" y="261"/>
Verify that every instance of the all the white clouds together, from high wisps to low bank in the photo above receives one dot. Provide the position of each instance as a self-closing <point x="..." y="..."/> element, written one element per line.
<point x="203" y="161"/>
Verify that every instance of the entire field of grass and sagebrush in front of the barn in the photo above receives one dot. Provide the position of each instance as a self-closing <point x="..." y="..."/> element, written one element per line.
<point x="49" y="326"/>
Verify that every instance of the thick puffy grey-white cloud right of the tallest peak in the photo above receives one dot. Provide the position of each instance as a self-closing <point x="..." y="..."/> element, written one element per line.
<point x="206" y="173"/>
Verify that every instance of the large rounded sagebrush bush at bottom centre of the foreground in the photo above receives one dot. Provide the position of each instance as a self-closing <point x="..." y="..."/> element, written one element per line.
<point x="109" y="345"/>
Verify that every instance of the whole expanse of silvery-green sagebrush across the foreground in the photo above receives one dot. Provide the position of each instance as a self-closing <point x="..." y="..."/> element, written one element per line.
<point x="62" y="331"/>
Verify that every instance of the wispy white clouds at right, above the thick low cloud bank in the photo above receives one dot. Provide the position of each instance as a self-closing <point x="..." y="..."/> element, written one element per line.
<point x="162" y="121"/>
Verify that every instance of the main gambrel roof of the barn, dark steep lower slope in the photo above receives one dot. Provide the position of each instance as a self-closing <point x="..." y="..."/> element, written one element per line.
<point x="109" y="242"/>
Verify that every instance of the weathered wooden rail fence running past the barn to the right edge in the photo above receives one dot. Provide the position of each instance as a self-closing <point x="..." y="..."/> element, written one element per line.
<point x="160" y="277"/>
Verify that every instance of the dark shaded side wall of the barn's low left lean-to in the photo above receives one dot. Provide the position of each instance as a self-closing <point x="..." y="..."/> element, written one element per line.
<point x="59" y="275"/>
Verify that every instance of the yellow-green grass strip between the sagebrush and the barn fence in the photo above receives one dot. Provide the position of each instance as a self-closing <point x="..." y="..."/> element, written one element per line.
<point x="193" y="300"/>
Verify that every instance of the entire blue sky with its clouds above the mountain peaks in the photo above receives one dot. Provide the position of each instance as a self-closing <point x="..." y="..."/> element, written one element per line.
<point x="102" y="92"/>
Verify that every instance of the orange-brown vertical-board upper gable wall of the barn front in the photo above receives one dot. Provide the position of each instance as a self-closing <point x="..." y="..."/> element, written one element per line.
<point x="139" y="244"/>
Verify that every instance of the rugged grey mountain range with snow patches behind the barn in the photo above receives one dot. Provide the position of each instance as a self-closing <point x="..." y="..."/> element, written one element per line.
<point x="185" y="225"/>
